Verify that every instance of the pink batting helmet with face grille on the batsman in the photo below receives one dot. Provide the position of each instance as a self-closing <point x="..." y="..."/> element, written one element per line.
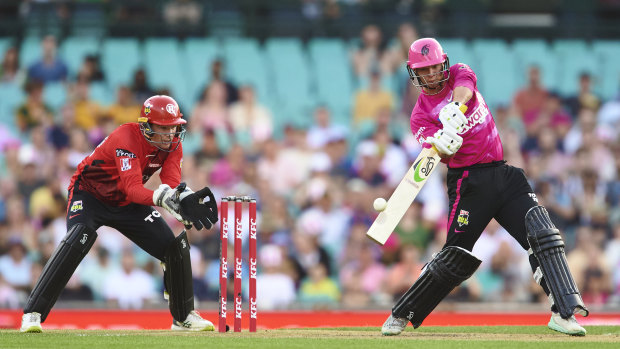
<point x="423" y="53"/>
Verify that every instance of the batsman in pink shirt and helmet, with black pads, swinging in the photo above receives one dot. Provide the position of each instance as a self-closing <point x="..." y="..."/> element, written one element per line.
<point x="452" y="116"/>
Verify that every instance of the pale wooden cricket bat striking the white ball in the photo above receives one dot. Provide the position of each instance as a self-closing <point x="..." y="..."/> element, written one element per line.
<point x="403" y="196"/>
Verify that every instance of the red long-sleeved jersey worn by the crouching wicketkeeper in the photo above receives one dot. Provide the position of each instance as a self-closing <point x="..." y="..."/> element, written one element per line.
<point x="116" y="171"/>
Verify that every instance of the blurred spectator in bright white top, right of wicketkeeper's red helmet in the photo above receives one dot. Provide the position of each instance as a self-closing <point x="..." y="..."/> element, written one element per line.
<point x="250" y="118"/>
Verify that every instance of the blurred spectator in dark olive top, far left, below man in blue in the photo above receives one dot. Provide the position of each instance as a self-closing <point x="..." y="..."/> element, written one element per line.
<point x="33" y="112"/>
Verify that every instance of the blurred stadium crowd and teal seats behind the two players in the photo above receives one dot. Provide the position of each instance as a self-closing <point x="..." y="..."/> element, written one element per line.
<point x="305" y="105"/>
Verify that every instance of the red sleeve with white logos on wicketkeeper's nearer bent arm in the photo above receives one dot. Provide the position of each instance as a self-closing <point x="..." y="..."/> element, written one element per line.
<point x="127" y="161"/>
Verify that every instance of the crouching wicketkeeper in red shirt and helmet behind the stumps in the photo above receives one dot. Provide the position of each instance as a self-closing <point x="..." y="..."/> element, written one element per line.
<point x="108" y="189"/>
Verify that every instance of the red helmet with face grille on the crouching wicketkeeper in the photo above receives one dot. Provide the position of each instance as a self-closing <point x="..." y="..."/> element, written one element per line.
<point x="164" y="111"/>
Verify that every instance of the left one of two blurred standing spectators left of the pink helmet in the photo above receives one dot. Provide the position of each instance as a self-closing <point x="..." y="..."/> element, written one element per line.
<point x="367" y="57"/>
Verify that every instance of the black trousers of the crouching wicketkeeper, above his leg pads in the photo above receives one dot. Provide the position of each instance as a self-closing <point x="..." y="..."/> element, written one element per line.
<point x="141" y="224"/>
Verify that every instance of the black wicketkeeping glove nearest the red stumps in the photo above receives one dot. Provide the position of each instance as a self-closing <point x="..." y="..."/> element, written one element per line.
<point x="197" y="211"/>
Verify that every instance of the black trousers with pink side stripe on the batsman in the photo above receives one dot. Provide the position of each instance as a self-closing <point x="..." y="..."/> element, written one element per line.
<point x="482" y="192"/>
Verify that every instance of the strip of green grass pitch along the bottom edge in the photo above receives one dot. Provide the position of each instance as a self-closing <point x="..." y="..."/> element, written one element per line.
<point x="467" y="337"/>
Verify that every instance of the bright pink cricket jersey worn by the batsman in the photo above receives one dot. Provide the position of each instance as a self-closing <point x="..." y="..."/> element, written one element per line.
<point x="481" y="143"/>
